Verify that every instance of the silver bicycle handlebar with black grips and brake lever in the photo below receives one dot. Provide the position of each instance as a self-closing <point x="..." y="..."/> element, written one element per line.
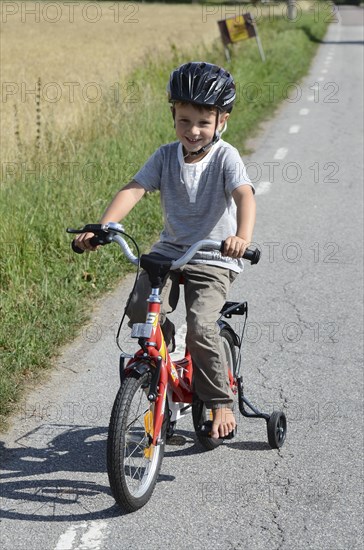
<point x="111" y="232"/>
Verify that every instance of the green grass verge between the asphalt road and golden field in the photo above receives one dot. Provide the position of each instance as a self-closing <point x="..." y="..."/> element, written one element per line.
<point x="46" y="291"/>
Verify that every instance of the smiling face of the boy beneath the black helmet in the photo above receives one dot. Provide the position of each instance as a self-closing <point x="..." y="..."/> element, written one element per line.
<point x="195" y="127"/>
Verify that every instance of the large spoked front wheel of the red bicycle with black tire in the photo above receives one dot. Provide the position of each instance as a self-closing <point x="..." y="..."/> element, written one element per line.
<point x="133" y="463"/>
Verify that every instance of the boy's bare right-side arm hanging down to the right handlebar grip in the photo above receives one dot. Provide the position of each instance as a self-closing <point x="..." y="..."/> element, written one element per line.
<point x="245" y="212"/>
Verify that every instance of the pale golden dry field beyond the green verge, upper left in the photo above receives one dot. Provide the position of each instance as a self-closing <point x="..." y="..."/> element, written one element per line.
<point x="81" y="58"/>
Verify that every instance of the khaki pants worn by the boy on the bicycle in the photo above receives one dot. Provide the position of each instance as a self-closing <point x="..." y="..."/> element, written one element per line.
<point x="206" y="288"/>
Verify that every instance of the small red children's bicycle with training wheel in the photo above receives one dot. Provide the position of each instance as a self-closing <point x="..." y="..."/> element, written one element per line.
<point x="156" y="391"/>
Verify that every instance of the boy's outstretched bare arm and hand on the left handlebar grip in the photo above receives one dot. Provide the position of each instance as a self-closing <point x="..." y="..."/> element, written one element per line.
<point x="123" y="202"/>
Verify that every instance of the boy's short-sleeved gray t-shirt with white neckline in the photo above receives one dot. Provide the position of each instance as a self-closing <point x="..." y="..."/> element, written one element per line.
<point x="196" y="199"/>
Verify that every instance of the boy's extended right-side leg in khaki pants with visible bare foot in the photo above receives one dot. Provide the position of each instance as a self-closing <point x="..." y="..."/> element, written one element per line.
<point x="206" y="289"/>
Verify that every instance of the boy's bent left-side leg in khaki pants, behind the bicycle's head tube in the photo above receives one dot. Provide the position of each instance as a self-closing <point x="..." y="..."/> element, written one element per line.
<point x="137" y="308"/>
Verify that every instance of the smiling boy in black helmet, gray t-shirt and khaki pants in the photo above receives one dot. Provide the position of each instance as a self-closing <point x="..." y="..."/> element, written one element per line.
<point x="205" y="194"/>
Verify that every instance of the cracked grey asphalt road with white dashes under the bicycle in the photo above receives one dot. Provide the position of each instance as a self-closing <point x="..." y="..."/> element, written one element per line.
<point x="303" y="353"/>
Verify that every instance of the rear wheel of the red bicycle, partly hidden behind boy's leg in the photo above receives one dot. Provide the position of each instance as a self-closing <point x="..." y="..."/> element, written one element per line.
<point x="200" y="413"/>
